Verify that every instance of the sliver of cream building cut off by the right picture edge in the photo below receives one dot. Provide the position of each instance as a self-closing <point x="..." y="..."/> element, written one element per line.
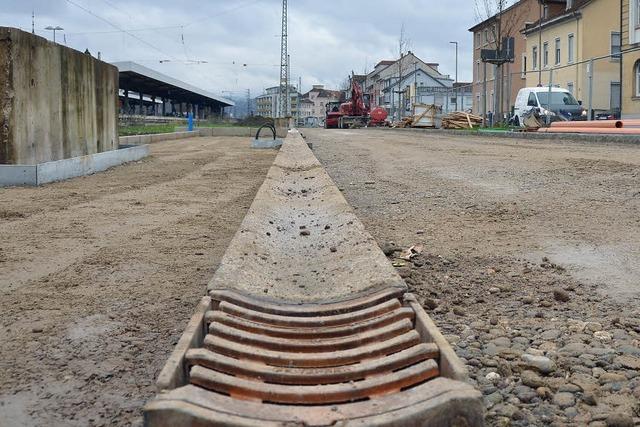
<point x="630" y="61"/>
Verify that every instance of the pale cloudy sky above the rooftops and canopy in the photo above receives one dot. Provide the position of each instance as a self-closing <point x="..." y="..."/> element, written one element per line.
<point x="327" y="39"/>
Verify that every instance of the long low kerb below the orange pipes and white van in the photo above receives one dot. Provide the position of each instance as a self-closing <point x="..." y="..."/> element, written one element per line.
<point x="533" y="136"/>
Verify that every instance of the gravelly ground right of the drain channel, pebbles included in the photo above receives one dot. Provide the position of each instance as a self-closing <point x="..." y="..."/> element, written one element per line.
<point x="526" y="254"/>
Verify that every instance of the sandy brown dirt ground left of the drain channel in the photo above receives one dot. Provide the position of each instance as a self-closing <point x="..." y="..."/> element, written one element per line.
<point x="99" y="275"/>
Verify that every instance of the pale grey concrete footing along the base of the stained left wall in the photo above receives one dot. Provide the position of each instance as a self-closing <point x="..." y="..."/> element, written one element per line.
<point x="43" y="173"/>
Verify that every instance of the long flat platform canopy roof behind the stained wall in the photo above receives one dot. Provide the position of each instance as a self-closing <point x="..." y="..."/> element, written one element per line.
<point x="137" y="78"/>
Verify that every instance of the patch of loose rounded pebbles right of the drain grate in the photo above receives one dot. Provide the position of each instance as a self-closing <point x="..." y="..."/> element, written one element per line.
<point x="541" y="347"/>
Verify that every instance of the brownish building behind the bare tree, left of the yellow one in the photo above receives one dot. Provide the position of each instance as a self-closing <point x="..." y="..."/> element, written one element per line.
<point x="510" y="77"/>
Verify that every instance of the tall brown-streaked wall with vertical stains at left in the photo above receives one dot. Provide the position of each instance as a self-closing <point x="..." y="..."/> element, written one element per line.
<point x="55" y="102"/>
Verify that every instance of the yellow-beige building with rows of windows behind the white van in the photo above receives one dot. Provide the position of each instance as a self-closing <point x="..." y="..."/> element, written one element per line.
<point x="559" y="49"/>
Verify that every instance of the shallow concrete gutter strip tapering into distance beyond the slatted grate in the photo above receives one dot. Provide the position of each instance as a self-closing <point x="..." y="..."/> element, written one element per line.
<point x="297" y="217"/>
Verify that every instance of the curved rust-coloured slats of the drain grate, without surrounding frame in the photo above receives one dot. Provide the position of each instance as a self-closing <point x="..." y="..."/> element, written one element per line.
<point x="311" y="354"/>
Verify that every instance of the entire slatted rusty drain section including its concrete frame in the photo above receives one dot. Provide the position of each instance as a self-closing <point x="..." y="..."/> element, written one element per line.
<point x="367" y="361"/>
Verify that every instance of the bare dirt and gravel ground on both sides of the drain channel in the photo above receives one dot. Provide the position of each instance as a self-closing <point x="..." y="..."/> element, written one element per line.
<point x="525" y="253"/>
